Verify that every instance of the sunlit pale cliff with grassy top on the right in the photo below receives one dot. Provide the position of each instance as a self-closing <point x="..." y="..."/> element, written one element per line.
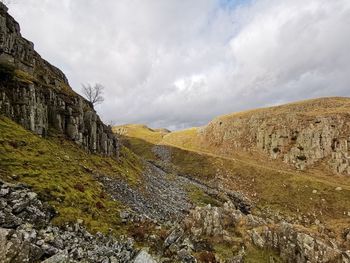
<point x="301" y="134"/>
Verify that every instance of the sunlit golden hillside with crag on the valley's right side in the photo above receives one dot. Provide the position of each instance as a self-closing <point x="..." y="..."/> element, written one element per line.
<point x="211" y="154"/>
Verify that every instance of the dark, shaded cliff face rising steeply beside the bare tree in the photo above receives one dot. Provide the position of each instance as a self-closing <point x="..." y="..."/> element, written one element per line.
<point x="37" y="95"/>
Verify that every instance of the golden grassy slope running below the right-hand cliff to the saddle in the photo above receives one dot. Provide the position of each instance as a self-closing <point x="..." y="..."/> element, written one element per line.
<point x="271" y="184"/>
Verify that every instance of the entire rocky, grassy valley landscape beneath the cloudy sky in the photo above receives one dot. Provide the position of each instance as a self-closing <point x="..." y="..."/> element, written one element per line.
<point x="73" y="189"/>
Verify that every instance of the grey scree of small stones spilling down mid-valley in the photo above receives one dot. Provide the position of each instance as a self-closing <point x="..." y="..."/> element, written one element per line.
<point x="159" y="197"/>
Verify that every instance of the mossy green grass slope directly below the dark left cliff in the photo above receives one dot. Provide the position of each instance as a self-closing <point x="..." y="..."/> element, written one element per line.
<point x="60" y="172"/>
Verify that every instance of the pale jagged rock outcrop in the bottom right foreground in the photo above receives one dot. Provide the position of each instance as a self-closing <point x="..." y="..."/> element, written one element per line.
<point x="226" y="224"/>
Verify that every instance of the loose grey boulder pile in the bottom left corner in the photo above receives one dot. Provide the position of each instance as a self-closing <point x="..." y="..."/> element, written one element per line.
<point x="27" y="236"/>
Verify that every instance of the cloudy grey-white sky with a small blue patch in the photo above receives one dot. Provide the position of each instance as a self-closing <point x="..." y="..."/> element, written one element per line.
<point x="179" y="63"/>
